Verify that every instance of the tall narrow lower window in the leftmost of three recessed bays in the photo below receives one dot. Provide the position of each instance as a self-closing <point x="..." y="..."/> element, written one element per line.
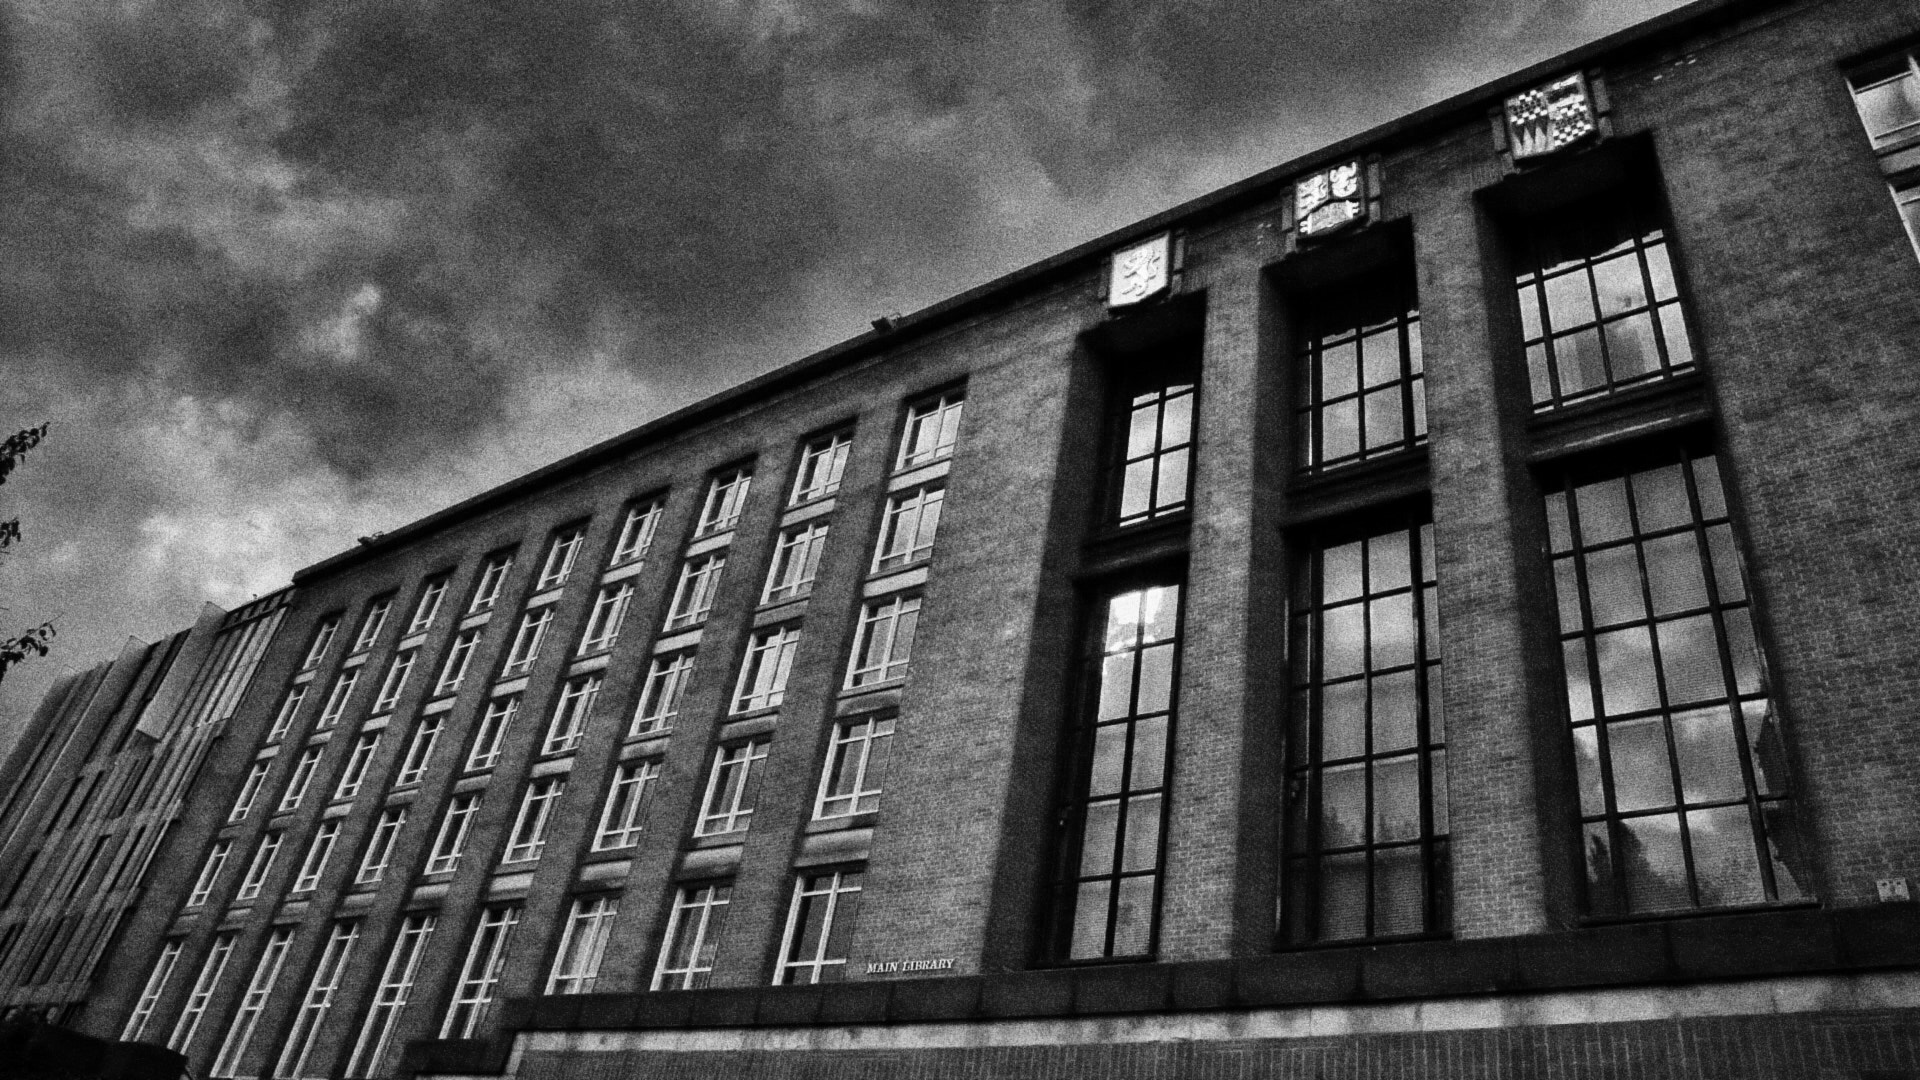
<point x="1116" y="798"/>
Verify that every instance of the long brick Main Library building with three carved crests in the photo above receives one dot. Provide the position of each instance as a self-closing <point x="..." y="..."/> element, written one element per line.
<point x="1433" y="608"/>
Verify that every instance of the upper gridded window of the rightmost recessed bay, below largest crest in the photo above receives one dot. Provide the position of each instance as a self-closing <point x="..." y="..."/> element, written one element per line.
<point x="1600" y="307"/>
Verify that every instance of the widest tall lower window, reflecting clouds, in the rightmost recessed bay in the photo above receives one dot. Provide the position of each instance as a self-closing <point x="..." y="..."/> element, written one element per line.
<point x="1679" y="747"/>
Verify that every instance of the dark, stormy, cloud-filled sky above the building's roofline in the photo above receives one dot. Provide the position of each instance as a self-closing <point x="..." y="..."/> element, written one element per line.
<point x="289" y="272"/>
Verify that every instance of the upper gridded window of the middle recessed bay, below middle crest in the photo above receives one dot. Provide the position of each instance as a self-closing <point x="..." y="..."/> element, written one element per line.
<point x="1362" y="385"/>
